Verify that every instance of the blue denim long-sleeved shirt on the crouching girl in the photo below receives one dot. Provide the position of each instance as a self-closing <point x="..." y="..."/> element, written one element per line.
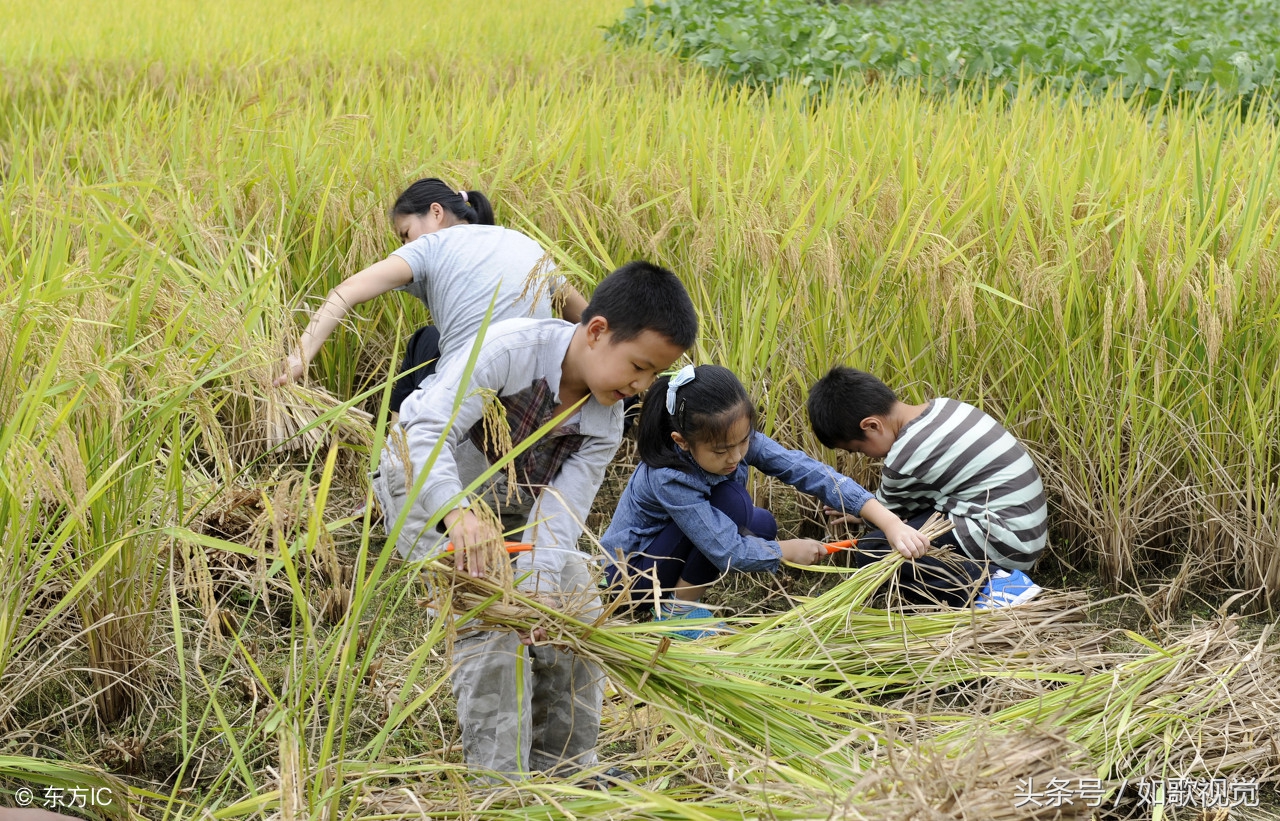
<point x="657" y="498"/>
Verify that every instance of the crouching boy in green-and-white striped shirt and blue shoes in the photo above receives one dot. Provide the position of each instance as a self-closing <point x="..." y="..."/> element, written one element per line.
<point x="945" y="457"/>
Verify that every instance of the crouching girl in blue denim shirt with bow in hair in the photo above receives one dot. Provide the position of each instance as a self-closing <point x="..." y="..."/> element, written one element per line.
<point x="687" y="519"/>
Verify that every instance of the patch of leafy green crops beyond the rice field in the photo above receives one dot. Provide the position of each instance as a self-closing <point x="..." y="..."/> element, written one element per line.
<point x="1141" y="48"/>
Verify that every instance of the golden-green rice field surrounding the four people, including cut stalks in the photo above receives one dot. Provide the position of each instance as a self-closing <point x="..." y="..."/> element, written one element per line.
<point x="199" y="613"/>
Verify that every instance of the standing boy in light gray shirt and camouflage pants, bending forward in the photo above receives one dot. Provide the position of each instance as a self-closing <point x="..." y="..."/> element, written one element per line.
<point x="638" y="323"/>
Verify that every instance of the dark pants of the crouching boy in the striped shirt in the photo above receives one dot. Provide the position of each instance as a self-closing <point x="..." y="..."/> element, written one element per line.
<point x="953" y="582"/>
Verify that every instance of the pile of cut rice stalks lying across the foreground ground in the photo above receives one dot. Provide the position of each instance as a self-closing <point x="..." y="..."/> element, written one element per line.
<point x="893" y="714"/>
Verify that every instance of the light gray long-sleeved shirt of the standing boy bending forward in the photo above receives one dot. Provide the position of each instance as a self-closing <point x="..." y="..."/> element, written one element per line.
<point x="514" y="357"/>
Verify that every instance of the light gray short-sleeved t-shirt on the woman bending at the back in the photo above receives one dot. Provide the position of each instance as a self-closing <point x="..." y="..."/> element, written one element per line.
<point x="458" y="271"/>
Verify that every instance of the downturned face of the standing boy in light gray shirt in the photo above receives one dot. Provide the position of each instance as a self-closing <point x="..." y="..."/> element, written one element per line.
<point x="615" y="371"/>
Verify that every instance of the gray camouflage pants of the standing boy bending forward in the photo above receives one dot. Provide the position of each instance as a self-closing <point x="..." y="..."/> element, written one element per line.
<point x="522" y="709"/>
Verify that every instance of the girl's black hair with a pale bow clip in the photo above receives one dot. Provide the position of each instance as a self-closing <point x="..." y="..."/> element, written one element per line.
<point x="706" y="409"/>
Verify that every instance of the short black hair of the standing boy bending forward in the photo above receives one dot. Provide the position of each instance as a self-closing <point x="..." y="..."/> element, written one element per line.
<point x="642" y="297"/>
